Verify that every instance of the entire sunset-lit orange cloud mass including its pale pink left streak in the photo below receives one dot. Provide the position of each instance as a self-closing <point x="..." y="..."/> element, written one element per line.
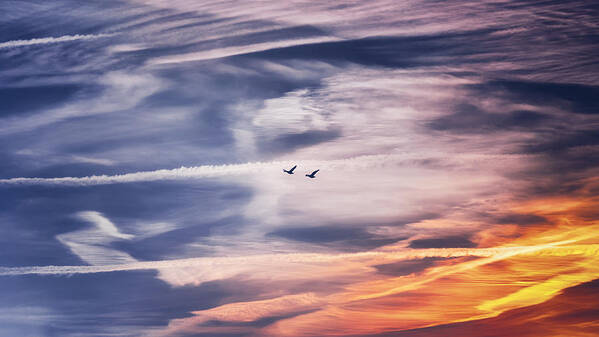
<point x="521" y="275"/>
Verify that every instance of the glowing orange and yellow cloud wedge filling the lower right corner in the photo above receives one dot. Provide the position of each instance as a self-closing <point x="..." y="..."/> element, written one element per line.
<point x="544" y="260"/>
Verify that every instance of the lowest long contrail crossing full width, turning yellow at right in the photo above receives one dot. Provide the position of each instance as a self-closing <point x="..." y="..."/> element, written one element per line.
<point x="372" y="257"/>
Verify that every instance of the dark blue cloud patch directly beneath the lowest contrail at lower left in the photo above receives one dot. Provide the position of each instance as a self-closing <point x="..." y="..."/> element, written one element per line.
<point x="96" y="303"/>
